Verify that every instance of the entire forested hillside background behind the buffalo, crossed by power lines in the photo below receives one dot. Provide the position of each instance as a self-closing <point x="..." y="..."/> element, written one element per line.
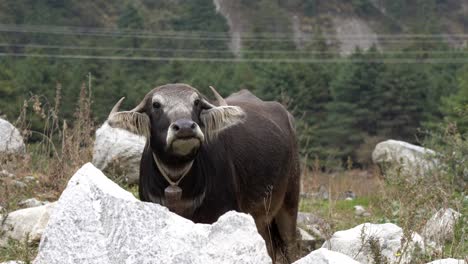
<point x="406" y="76"/>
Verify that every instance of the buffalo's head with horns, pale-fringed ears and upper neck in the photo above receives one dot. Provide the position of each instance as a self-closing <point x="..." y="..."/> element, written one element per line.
<point x="177" y="120"/>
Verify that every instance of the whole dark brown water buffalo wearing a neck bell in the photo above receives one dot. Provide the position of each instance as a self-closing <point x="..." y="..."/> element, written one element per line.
<point x="204" y="158"/>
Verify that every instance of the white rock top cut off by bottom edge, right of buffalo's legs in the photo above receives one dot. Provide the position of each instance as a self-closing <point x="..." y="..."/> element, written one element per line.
<point x="325" y="256"/>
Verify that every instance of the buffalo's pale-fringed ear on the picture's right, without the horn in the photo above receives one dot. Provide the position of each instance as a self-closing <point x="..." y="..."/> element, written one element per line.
<point x="217" y="118"/>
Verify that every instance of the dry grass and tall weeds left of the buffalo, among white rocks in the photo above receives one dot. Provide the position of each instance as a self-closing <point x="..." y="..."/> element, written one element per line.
<point x="52" y="156"/>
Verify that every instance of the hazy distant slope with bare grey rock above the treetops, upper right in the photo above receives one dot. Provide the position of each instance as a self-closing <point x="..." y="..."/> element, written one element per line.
<point x="347" y="24"/>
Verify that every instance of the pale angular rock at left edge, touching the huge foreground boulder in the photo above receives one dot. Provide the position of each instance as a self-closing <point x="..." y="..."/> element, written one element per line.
<point x="30" y="221"/>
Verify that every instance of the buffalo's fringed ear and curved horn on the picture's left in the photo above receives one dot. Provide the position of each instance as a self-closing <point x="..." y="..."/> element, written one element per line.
<point x="135" y="120"/>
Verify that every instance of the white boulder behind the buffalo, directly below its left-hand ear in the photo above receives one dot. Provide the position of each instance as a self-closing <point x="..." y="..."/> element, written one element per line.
<point x="118" y="153"/>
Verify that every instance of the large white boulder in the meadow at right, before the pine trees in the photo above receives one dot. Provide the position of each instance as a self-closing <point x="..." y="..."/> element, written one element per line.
<point x="411" y="159"/>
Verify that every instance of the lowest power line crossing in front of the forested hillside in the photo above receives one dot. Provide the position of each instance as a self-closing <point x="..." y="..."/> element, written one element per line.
<point x="243" y="60"/>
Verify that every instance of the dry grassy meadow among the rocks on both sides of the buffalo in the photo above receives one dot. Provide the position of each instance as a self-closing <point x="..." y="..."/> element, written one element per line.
<point x="54" y="154"/>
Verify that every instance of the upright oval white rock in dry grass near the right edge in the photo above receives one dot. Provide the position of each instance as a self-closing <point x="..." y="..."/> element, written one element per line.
<point x="439" y="228"/>
